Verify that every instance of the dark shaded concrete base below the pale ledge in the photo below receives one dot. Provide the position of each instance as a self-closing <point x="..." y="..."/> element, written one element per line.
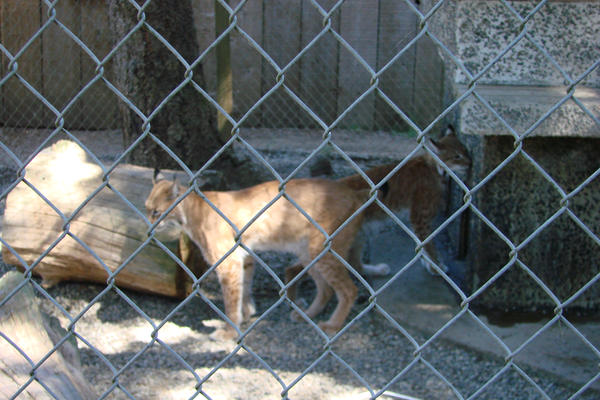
<point x="519" y="200"/>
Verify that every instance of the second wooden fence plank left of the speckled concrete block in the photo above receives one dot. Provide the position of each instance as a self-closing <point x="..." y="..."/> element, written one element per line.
<point x="397" y="27"/>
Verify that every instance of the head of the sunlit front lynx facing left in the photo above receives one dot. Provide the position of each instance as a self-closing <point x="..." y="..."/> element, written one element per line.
<point x="161" y="197"/>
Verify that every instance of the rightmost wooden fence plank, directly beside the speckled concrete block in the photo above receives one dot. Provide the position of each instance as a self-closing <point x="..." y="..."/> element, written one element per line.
<point x="429" y="82"/>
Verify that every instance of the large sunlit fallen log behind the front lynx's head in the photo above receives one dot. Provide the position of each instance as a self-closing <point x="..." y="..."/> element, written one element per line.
<point x="98" y="230"/>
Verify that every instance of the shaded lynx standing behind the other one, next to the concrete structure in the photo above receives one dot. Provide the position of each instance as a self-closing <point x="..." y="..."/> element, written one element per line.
<point x="416" y="186"/>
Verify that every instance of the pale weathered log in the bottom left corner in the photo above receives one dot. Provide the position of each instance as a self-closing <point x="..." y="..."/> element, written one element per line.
<point x="59" y="376"/>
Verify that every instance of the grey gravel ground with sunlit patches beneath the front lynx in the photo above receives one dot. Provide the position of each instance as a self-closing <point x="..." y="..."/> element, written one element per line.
<point x="374" y="350"/>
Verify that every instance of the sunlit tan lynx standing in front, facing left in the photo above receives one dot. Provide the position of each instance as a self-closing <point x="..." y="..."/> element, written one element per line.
<point x="282" y="227"/>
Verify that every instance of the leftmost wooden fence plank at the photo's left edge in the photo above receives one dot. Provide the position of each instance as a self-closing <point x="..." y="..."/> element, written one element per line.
<point x="21" y="20"/>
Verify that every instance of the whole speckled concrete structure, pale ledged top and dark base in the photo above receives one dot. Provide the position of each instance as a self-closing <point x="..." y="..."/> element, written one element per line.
<point x="526" y="83"/>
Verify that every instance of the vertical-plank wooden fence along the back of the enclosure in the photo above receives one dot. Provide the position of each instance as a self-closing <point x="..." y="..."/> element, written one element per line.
<point x="328" y="78"/>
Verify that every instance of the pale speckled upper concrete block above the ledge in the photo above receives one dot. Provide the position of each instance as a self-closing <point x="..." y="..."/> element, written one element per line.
<point x="559" y="41"/>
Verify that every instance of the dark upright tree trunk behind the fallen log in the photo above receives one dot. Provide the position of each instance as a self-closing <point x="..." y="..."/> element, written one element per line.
<point x="146" y="72"/>
